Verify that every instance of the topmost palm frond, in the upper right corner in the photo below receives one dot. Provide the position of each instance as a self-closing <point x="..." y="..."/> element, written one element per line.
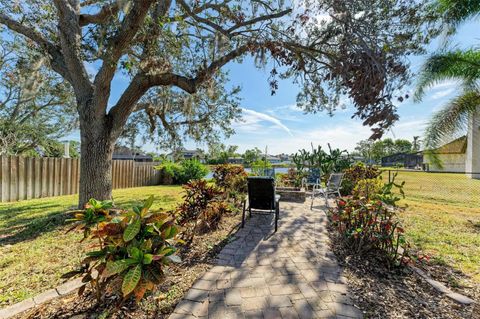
<point x="455" y="12"/>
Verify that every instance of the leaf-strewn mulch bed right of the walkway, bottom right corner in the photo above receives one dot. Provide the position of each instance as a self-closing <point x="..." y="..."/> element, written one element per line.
<point x="400" y="293"/>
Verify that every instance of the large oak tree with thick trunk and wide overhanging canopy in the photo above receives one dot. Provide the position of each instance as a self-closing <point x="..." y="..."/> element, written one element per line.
<point x="173" y="53"/>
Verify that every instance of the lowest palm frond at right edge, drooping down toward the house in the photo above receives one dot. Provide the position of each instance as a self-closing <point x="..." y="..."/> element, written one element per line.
<point x="451" y="120"/>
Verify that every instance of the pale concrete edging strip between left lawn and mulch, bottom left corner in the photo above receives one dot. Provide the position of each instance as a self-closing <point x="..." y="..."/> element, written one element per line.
<point x="41" y="298"/>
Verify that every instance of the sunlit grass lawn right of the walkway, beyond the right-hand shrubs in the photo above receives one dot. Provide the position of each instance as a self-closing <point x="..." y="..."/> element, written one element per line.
<point x="442" y="218"/>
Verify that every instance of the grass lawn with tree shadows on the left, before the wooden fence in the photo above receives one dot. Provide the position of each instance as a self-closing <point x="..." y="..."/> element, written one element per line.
<point x="34" y="248"/>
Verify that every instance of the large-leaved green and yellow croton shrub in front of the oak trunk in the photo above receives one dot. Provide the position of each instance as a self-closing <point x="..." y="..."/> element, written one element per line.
<point x="132" y="249"/>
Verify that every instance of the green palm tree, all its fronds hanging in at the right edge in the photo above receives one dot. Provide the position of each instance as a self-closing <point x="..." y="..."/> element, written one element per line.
<point x="460" y="65"/>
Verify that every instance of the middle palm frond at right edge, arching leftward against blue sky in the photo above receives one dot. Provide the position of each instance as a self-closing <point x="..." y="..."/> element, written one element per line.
<point x="460" y="65"/>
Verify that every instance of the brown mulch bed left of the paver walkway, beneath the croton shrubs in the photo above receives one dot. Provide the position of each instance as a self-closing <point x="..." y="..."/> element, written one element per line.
<point x="160" y="304"/>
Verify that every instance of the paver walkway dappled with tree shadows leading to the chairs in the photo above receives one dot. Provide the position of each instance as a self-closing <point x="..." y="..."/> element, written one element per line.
<point x="289" y="274"/>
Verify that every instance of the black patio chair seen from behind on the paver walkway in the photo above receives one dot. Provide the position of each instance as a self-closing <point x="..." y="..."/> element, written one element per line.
<point x="262" y="198"/>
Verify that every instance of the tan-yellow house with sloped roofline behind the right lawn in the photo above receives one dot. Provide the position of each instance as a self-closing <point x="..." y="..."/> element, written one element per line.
<point x="452" y="156"/>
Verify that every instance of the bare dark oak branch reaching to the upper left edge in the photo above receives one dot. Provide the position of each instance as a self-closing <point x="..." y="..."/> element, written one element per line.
<point x="56" y="58"/>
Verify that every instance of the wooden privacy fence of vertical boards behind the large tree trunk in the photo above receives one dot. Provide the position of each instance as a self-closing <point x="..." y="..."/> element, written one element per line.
<point x="26" y="178"/>
